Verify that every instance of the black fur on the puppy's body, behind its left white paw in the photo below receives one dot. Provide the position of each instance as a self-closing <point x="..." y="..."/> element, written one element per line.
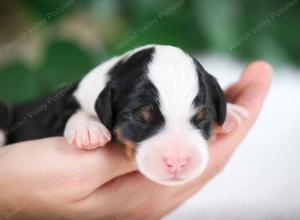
<point x="43" y="118"/>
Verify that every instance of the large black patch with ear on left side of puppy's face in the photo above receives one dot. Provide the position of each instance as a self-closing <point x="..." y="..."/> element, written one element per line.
<point x="128" y="91"/>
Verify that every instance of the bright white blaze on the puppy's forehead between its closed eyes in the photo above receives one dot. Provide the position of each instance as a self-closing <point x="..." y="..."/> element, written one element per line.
<point x="174" y="75"/>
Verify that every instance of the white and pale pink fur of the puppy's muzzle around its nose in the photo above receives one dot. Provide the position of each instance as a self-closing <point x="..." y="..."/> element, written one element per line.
<point x="151" y="150"/>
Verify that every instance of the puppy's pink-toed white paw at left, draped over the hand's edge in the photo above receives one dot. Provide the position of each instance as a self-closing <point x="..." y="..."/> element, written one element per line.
<point x="89" y="135"/>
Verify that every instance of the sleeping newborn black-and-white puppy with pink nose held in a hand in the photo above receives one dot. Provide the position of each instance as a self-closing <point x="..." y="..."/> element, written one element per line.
<point x="156" y="100"/>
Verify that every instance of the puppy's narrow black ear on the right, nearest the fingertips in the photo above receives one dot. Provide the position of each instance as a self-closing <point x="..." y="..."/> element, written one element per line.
<point x="218" y="98"/>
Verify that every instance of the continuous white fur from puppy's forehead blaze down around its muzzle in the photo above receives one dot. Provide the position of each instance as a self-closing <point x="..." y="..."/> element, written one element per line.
<point x="174" y="75"/>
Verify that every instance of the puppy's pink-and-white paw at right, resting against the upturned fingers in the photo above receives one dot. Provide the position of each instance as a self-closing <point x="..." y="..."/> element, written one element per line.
<point x="236" y="115"/>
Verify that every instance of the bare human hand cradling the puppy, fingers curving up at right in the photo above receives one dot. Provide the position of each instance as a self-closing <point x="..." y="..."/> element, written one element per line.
<point x="48" y="179"/>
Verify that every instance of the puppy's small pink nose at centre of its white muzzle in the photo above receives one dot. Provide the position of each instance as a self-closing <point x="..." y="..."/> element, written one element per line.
<point x="176" y="164"/>
